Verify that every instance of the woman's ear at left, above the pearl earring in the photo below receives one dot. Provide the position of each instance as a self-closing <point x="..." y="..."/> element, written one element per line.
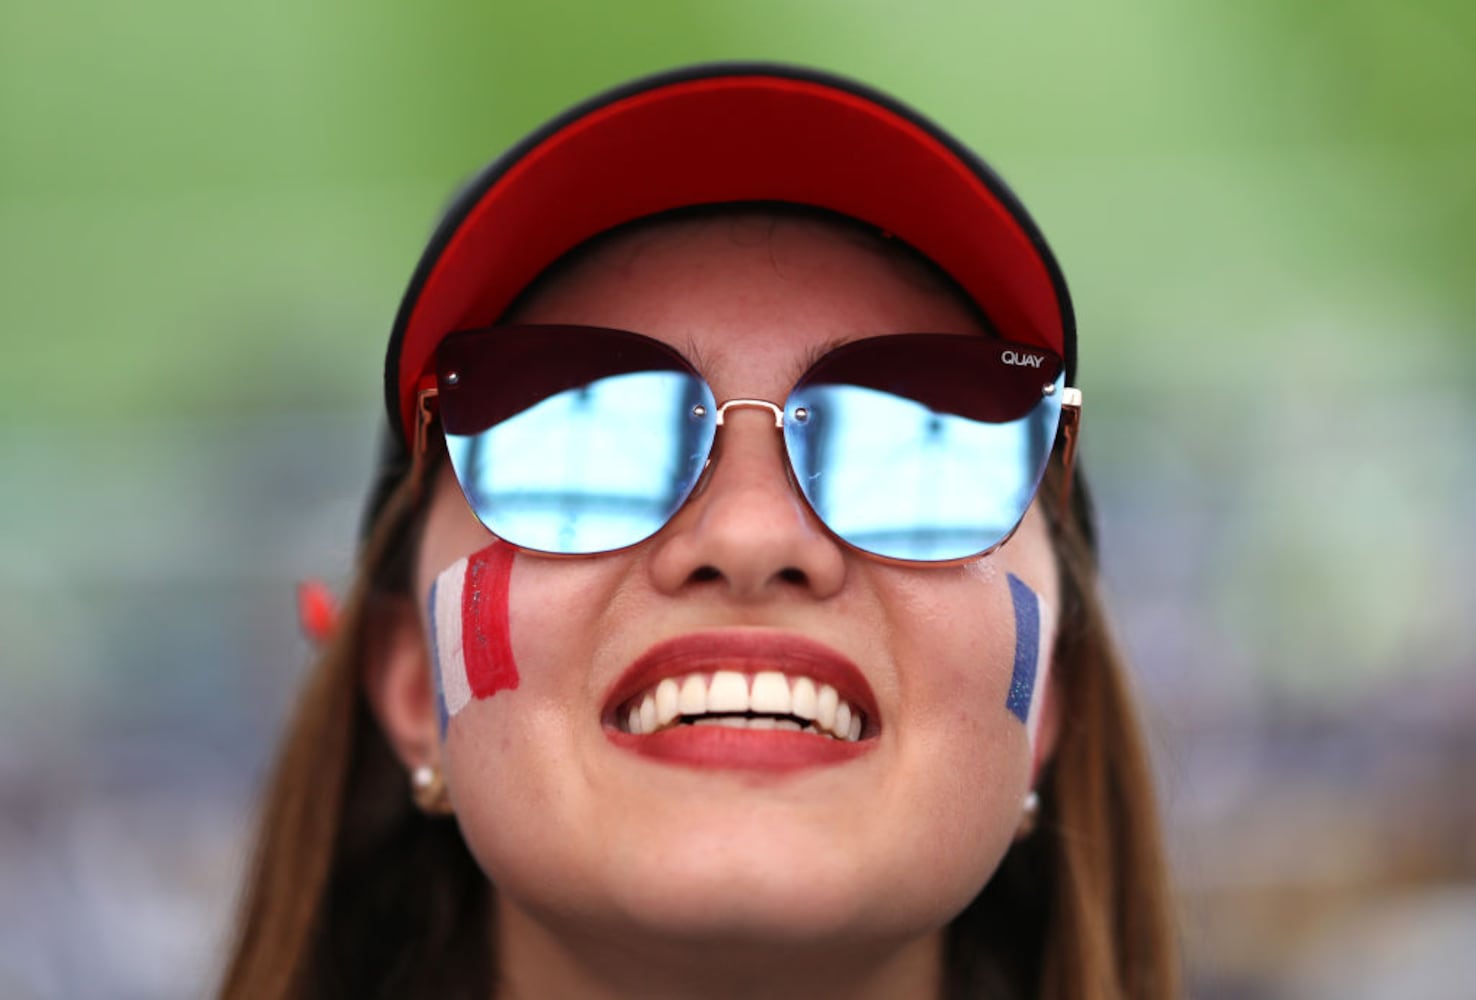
<point x="398" y="681"/>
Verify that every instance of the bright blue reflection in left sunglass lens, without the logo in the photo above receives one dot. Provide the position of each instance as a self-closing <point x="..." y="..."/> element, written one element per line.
<point x="594" y="468"/>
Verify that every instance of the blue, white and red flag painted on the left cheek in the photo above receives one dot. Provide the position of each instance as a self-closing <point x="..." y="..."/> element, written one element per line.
<point x="472" y="639"/>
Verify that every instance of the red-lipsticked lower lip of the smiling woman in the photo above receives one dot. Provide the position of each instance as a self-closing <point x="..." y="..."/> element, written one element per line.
<point x="717" y="747"/>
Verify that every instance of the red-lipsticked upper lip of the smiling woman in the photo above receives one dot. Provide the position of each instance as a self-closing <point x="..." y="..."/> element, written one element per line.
<point x="746" y="651"/>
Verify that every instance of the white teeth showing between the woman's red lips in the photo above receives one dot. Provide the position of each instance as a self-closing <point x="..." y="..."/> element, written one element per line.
<point x="773" y="701"/>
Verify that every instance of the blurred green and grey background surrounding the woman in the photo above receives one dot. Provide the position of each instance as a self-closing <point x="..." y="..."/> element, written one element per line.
<point x="1266" y="210"/>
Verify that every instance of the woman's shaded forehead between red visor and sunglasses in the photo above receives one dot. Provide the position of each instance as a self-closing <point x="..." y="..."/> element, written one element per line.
<point x="749" y="294"/>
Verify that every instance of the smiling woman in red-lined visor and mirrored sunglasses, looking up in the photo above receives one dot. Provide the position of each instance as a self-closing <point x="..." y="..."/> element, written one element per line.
<point x="725" y="605"/>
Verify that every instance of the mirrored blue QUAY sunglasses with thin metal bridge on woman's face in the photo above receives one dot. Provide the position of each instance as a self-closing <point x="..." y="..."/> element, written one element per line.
<point x="913" y="448"/>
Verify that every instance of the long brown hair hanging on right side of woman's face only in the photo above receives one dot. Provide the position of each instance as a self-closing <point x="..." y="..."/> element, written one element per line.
<point x="1083" y="909"/>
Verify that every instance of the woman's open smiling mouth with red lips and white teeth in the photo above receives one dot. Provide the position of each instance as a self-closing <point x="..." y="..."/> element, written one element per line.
<point x="743" y="700"/>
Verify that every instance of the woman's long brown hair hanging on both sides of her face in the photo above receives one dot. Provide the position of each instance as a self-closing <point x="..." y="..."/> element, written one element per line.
<point x="355" y="893"/>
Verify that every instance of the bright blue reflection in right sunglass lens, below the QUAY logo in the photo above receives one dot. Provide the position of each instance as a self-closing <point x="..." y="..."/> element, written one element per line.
<point x="897" y="479"/>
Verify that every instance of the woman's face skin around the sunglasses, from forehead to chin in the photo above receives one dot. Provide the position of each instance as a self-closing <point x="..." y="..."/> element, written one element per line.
<point x="570" y="819"/>
